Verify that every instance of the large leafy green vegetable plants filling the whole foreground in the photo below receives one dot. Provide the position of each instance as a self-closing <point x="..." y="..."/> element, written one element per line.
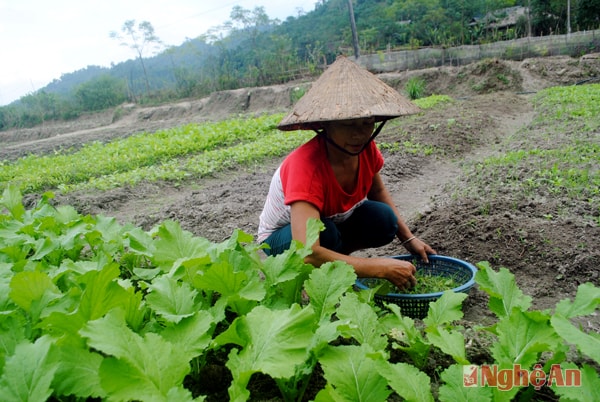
<point x="94" y="309"/>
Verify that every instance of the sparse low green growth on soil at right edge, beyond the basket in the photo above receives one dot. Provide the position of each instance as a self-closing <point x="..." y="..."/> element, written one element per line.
<point x="558" y="156"/>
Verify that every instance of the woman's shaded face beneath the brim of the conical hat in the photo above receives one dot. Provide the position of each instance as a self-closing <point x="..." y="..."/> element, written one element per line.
<point x="352" y="135"/>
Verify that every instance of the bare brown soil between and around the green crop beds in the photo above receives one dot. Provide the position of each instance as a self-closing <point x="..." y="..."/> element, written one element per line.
<point x="549" y="258"/>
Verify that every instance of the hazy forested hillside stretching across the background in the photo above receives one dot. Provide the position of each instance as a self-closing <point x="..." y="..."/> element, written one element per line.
<point x="251" y="49"/>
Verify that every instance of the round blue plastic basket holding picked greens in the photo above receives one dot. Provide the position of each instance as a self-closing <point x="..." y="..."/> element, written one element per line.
<point x="417" y="305"/>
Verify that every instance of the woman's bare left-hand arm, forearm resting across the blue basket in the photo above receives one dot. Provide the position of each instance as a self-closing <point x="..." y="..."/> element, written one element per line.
<point x="400" y="273"/>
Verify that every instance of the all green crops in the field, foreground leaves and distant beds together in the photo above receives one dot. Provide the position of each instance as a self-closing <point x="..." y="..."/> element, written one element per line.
<point x="92" y="309"/>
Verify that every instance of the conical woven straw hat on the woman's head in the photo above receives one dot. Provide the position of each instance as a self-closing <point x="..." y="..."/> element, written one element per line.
<point x="346" y="91"/>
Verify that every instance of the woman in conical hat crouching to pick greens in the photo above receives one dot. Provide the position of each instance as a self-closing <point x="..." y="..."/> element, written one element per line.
<point x="335" y="177"/>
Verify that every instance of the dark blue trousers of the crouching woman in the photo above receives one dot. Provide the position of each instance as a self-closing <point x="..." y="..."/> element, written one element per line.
<point x="373" y="224"/>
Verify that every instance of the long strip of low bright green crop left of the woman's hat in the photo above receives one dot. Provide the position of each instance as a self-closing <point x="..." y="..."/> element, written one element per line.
<point x="172" y="154"/>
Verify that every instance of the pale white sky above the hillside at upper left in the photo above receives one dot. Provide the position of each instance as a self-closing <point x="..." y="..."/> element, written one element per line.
<point x="40" y="40"/>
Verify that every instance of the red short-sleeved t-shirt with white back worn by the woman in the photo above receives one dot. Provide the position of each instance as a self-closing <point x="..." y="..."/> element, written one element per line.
<point x="306" y="175"/>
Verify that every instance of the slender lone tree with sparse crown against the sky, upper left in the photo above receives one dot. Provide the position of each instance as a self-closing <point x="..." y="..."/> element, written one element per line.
<point x="137" y="39"/>
